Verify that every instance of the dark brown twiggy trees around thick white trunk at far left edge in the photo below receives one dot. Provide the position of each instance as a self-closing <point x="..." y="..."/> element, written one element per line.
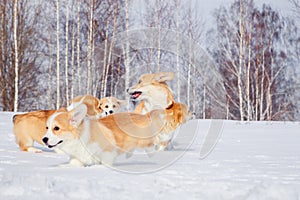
<point x="18" y="57"/>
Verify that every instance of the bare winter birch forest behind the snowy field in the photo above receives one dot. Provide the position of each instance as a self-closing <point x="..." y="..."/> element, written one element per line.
<point x="243" y="66"/>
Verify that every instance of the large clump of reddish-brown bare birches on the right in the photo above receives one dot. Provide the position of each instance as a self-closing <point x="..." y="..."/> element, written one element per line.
<point x="252" y="60"/>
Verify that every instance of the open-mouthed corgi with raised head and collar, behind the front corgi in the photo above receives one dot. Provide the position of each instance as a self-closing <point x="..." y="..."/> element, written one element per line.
<point x="153" y="93"/>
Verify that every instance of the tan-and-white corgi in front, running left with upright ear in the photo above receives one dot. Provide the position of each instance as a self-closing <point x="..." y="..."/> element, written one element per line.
<point x="90" y="141"/>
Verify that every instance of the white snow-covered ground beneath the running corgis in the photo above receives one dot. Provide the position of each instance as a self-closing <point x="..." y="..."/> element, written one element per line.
<point x="255" y="160"/>
